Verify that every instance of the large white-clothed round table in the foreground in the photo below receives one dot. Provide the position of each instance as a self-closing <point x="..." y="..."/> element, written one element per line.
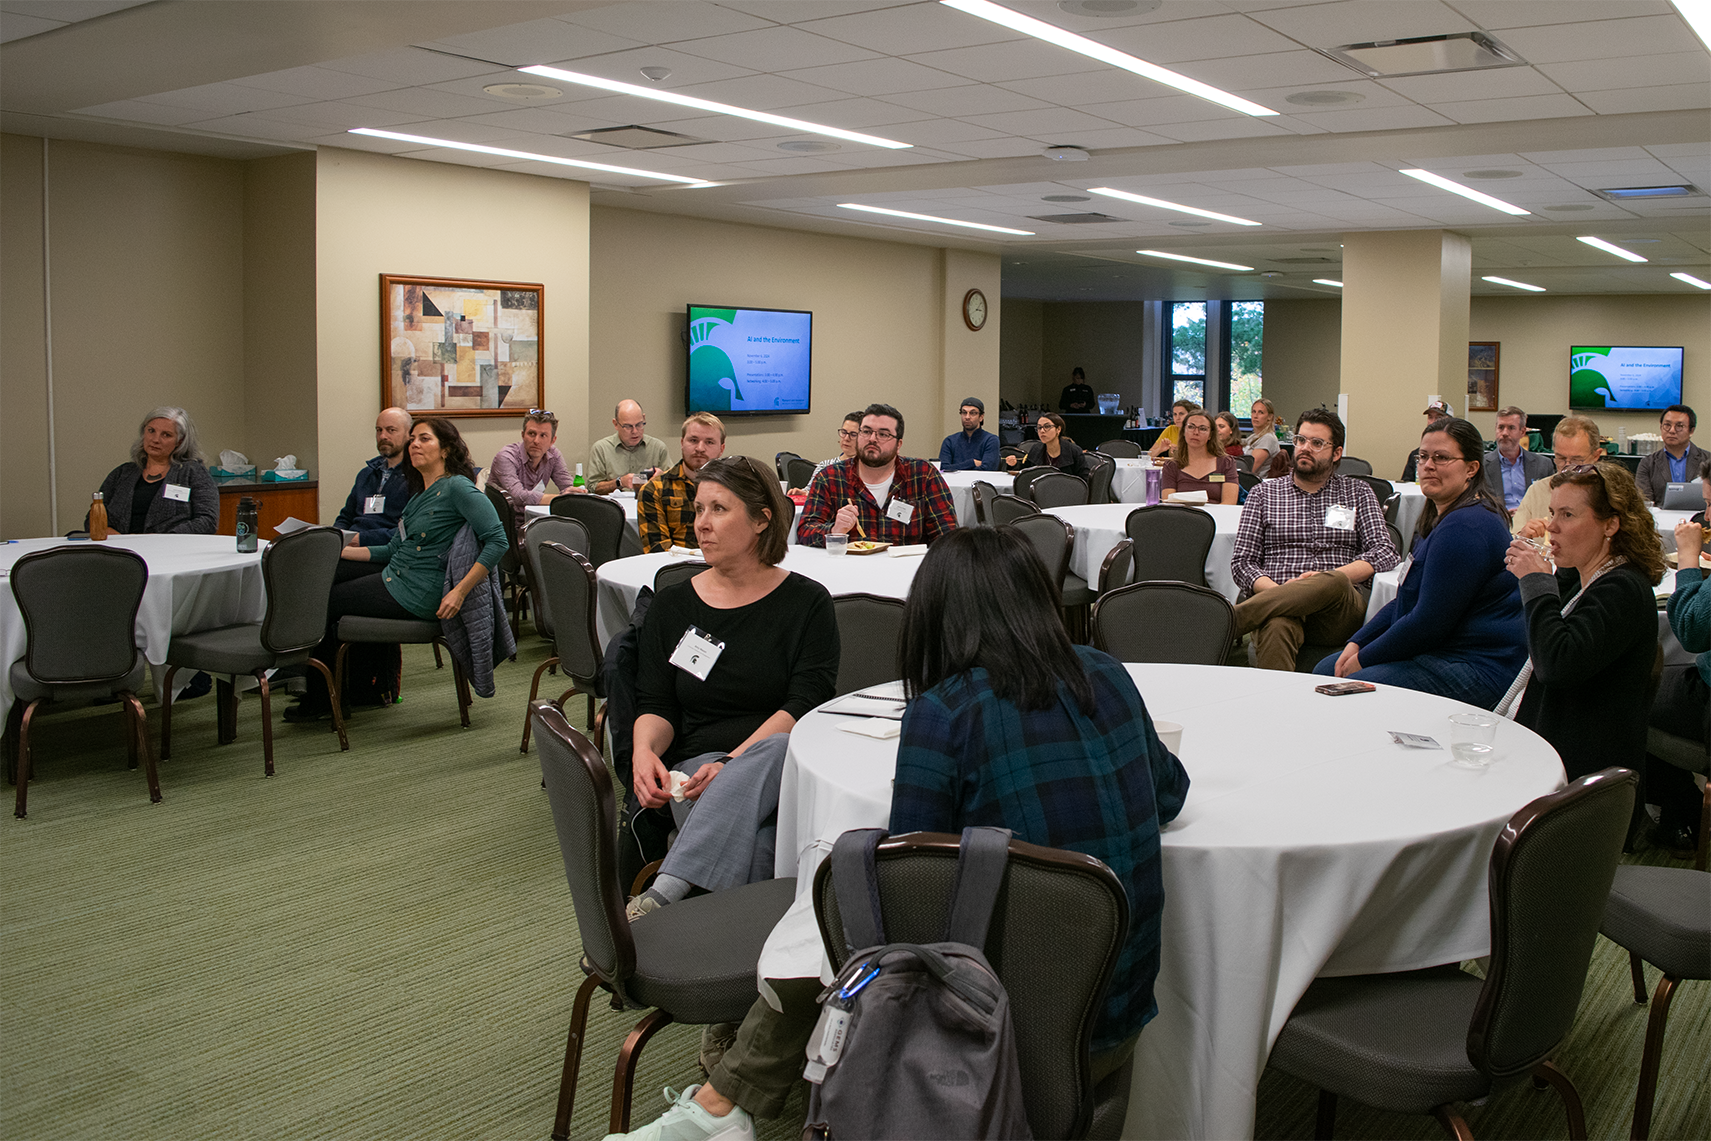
<point x="1327" y="851"/>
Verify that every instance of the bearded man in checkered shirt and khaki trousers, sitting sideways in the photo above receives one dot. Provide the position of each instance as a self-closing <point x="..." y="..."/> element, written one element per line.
<point x="1308" y="548"/>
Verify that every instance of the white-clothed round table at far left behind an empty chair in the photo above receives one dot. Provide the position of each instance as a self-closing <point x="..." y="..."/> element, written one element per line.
<point x="196" y="582"/>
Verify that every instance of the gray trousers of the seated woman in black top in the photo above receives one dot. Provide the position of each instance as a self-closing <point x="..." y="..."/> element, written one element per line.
<point x="726" y="839"/>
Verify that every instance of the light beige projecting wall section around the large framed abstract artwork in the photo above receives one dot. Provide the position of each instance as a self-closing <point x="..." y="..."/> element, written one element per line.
<point x="377" y="215"/>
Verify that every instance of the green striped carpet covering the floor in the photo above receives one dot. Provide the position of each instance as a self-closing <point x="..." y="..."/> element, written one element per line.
<point x="381" y="945"/>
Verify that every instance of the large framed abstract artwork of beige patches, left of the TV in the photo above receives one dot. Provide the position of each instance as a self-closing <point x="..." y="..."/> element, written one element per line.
<point x="461" y="348"/>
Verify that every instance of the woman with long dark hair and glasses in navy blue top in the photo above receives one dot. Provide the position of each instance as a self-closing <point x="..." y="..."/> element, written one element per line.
<point x="1455" y="627"/>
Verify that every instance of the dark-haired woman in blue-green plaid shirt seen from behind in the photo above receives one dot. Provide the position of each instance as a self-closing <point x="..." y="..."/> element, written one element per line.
<point x="1010" y="724"/>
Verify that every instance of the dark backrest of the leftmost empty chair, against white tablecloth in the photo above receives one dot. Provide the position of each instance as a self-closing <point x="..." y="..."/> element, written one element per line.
<point x="80" y="612"/>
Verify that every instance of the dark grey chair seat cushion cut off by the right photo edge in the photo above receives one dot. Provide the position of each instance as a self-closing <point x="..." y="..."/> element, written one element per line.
<point x="1662" y="914"/>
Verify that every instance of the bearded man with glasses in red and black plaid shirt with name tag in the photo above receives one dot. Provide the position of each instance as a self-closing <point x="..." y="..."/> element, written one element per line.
<point x="889" y="497"/>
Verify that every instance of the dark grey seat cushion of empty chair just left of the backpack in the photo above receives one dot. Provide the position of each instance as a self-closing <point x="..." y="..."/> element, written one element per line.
<point x="697" y="957"/>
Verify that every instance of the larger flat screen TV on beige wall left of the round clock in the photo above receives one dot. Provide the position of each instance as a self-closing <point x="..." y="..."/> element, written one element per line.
<point x="749" y="362"/>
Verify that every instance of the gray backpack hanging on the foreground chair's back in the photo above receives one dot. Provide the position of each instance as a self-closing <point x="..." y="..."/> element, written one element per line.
<point x="916" y="1041"/>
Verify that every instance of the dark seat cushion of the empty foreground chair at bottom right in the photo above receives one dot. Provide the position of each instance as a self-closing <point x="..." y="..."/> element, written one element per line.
<point x="1395" y="1043"/>
